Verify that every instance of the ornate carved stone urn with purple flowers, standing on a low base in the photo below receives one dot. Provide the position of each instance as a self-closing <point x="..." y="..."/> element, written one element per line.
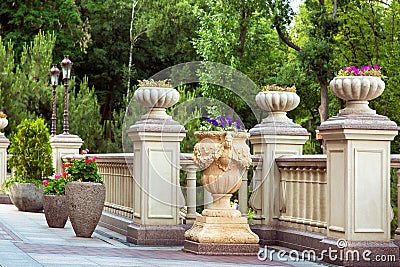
<point x="224" y="156"/>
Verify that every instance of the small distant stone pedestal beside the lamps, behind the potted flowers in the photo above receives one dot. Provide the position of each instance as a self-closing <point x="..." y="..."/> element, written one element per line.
<point x="64" y="144"/>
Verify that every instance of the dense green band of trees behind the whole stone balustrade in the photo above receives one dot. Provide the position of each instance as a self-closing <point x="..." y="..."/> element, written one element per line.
<point x="115" y="43"/>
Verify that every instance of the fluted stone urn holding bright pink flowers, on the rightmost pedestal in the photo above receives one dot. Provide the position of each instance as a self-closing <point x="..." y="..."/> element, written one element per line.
<point x="357" y="90"/>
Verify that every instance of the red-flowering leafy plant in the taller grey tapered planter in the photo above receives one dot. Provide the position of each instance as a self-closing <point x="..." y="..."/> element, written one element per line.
<point x="83" y="169"/>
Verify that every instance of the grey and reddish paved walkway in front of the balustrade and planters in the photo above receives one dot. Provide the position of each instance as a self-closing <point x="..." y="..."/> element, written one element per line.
<point x="26" y="240"/>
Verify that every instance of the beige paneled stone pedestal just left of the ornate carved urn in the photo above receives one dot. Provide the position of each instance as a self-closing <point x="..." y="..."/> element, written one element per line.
<point x="157" y="195"/>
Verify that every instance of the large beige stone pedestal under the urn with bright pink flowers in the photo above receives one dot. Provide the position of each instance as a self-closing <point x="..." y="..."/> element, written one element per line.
<point x="358" y="173"/>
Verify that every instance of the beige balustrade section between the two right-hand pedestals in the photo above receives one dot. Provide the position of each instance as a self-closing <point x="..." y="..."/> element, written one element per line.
<point x="303" y="192"/>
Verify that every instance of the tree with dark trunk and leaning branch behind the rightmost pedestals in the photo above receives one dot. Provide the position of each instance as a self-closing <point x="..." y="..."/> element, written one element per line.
<point x="316" y="54"/>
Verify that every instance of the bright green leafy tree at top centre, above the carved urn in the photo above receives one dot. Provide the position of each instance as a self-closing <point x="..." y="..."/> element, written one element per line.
<point x="237" y="34"/>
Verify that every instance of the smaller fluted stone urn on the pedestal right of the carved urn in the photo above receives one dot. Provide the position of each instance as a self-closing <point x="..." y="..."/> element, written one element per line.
<point x="278" y="104"/>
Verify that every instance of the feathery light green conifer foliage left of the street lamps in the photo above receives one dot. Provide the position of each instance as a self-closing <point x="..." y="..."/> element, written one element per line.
<point x="26" y="81"/>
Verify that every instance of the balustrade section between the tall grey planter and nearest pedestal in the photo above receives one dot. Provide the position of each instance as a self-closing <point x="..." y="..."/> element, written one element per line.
<point x="118" y="181"/>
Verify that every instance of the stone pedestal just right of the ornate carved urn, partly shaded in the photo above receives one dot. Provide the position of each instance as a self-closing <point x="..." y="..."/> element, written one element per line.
<point x="271" y="140"/>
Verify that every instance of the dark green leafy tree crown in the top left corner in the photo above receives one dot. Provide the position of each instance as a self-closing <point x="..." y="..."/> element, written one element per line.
<point x="21" y="21"/>
